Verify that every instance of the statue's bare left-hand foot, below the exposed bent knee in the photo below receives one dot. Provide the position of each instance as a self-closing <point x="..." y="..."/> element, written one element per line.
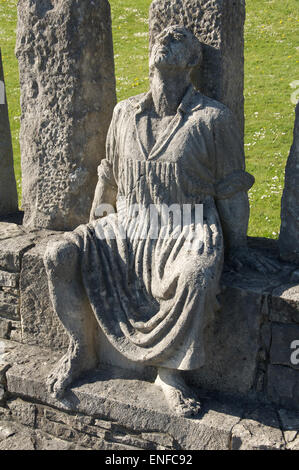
<point x="70" y="367"/>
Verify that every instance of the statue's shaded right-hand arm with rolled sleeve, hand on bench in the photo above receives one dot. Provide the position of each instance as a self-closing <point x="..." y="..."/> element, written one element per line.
<point x="232" y="185"/>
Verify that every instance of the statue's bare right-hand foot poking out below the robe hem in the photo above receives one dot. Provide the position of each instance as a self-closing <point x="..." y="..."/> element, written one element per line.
<point x="179" y="396"/>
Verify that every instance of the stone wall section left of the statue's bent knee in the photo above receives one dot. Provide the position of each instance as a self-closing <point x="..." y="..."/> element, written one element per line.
<point x="25" y="310"/>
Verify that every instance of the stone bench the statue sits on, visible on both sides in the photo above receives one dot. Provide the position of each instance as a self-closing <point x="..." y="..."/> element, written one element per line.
<point x="248" y="345"/>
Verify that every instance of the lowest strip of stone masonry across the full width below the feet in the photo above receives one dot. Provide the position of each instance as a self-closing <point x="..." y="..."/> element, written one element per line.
<point x="29" y="426"/>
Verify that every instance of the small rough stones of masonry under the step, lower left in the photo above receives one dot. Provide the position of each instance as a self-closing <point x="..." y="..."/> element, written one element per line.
<point x="69" y="430"/>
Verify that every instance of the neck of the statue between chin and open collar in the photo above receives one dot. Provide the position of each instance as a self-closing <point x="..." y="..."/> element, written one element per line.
<point x="168" y="89"/>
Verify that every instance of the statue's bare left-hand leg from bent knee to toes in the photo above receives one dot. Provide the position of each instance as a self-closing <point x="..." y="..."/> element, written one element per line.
<point x="72" y="307"/>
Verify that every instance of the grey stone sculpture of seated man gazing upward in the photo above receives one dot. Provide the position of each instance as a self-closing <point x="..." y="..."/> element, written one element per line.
<point x="154" y="296"/>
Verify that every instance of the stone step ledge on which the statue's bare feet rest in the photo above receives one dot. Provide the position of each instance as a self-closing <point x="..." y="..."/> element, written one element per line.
<point x="117" y="396"/>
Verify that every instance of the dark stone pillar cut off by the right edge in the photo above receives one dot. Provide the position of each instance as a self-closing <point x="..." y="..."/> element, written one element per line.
<point x="289" y="233"/>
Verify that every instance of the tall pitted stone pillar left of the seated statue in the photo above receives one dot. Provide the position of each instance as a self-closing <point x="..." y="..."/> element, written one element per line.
<point x="65" y="54"/>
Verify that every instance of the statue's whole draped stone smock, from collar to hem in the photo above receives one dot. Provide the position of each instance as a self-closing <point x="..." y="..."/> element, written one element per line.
<point x="154" y="296"/>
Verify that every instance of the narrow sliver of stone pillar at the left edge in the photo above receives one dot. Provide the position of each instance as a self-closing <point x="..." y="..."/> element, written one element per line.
<point x="8" y="188"/>
